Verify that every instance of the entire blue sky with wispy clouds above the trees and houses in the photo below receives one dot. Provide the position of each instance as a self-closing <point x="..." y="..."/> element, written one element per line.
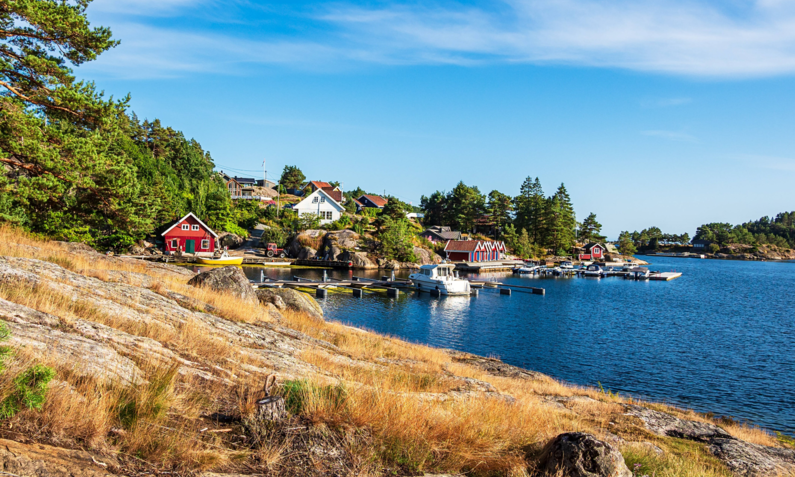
<point x="652" y="112"/>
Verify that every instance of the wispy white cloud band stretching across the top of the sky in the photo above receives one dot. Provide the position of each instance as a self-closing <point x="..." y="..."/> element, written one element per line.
<point x="691" y="38"/>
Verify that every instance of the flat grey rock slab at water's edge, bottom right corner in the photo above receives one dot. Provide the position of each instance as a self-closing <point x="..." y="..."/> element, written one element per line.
<point x="743" y="458"/>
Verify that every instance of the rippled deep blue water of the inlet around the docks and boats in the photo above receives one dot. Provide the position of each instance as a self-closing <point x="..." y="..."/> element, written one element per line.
<point x="720" y="339"/>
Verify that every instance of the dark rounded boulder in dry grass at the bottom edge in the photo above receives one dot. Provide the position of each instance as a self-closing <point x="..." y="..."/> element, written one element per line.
<point x="576" y="454"/>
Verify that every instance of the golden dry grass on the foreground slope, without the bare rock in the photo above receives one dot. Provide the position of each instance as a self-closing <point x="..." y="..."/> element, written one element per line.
<point x="380" y="399"/>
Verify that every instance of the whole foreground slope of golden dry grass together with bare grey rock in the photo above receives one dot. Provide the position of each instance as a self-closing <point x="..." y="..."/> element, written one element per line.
<point x="153" y="374"/>
